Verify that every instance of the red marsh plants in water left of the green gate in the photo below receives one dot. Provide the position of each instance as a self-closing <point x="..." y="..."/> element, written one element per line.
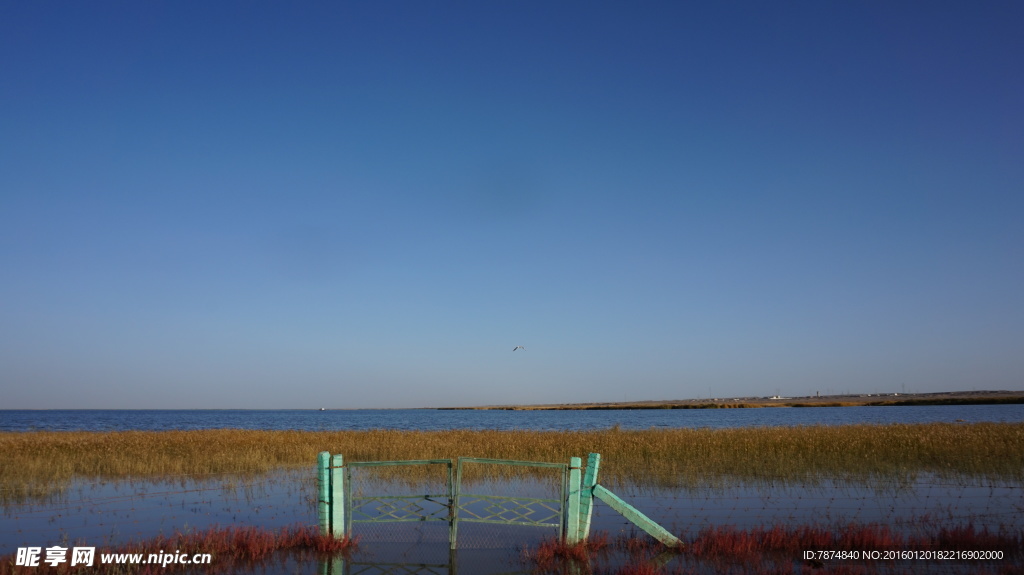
<point x="228" y="546"/>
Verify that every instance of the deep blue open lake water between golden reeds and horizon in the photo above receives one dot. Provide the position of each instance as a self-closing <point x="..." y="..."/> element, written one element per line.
<point x="123" y="420"/>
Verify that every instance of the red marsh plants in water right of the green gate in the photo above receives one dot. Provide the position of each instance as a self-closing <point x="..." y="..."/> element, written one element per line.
<point x="780" y="550"/>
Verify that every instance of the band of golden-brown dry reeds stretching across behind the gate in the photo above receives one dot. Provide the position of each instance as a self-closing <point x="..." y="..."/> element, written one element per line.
<point x="35" y="462"/>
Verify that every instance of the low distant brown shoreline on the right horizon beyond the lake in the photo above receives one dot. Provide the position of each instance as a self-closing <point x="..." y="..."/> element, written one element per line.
<point x="851" y="401"/>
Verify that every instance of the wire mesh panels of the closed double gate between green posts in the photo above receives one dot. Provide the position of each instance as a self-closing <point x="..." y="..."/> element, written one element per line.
<point x="400" y="513"/>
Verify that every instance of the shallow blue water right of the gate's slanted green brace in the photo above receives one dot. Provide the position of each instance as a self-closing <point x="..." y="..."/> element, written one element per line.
<point x="912" y="504"/>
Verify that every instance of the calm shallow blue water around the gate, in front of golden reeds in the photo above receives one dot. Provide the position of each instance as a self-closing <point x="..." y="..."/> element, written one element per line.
<point x="98" y="514"/>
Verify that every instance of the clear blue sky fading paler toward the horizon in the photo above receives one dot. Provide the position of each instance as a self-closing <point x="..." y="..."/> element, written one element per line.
<point x="370" y="205"/>
